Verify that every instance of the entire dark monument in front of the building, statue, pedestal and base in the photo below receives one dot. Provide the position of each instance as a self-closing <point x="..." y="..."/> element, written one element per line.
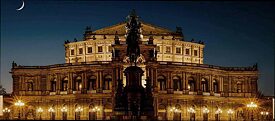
<point x="133" y="102"/>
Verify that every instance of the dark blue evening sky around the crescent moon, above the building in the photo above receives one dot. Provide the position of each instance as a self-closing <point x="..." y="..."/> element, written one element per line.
<point x="235" y="33"/>
